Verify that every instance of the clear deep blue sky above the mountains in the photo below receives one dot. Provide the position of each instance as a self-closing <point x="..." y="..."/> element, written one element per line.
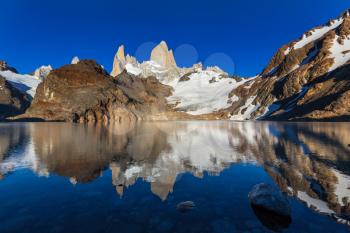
<point x="36" y="32"/>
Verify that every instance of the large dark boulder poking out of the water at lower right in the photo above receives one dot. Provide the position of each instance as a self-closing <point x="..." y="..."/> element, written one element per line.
<point x="271" y="199"/>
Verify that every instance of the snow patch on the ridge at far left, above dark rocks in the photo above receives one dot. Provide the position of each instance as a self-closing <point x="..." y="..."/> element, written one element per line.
<point x="23" y="82"/>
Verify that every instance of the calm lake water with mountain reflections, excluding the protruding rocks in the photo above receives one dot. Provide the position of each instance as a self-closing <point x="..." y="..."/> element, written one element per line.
<point x="59" y="177"/>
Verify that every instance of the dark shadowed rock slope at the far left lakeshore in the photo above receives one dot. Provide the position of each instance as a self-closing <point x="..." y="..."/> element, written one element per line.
<point x="12" y="101"/>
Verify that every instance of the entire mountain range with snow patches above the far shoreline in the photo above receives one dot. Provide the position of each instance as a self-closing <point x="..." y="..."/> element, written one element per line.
<point x="306" y="79"/>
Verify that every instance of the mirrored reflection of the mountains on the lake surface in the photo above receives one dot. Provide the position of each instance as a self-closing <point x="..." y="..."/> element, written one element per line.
<point x="308" y="160"/>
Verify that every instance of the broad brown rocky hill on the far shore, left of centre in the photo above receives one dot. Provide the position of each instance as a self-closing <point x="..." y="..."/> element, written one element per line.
<point x="84" y="92"/>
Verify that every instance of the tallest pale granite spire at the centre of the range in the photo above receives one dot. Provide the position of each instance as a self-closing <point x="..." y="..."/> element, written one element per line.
<point x="163" y="56"/>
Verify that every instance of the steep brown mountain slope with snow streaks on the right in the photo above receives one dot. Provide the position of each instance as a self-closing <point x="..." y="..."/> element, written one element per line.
<point x="306" y="79"/>
